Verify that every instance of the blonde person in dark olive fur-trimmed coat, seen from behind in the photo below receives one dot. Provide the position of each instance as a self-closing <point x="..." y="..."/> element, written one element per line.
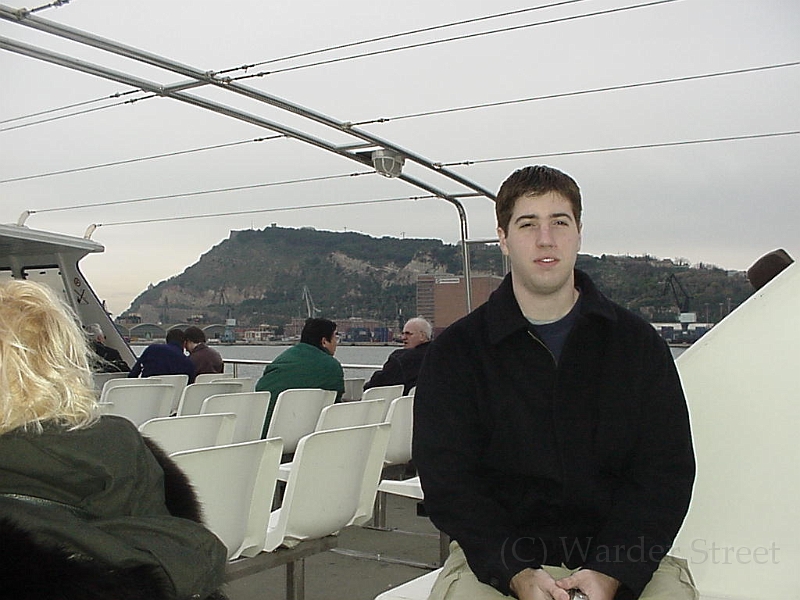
<point x="89" y="509"/>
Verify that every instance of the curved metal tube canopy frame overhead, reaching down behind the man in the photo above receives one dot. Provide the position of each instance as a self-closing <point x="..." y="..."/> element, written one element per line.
<point x="364" y="143"/>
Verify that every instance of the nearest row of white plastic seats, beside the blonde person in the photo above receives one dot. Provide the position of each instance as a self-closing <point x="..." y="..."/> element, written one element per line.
<point x="332" y="485"/>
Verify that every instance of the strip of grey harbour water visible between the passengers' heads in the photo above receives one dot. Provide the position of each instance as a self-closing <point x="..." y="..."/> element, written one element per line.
<point x="373" y="356"/>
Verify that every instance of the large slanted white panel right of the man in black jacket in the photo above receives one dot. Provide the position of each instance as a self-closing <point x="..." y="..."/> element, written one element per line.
<point x="740" y="379"/>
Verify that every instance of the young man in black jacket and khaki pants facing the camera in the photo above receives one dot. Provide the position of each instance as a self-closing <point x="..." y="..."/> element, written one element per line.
<point x="550" y="430"/>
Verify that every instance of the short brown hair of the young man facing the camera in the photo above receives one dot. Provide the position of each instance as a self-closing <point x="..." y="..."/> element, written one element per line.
<point x="535" y="180"/>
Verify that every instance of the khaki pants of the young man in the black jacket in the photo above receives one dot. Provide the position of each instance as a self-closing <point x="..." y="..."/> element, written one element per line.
<point x="671" y="581"/>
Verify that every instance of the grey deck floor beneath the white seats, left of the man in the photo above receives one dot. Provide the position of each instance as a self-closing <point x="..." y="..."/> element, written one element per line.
<point x="346" y="573"/>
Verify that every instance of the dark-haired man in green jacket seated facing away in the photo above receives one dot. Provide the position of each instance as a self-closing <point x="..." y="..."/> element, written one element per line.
<point x="309" y="364"/>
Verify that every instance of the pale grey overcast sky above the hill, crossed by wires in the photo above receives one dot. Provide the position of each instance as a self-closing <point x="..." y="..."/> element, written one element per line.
<point x="724" y="203"/>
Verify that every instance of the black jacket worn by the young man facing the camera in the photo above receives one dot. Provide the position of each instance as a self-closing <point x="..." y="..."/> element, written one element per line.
<point x="525" y="462"/>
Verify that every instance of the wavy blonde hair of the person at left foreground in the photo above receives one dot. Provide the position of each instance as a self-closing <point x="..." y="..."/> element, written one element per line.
<point x="44" y="361"/>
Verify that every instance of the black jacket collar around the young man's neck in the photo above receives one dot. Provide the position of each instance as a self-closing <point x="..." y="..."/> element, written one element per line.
<point x="504" y="316"/>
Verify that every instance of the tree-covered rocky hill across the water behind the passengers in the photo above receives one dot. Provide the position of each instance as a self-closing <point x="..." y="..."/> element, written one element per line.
<point x="259" y="277"/>
